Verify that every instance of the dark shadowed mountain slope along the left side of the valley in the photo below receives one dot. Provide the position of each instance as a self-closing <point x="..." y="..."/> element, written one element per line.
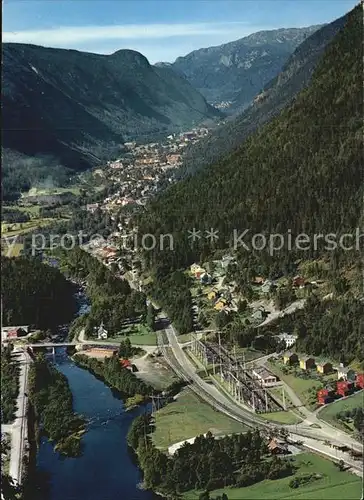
<point x="79" y="107"/>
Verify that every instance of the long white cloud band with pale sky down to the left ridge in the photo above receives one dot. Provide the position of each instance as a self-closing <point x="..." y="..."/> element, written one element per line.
<point x="149" y="39"/>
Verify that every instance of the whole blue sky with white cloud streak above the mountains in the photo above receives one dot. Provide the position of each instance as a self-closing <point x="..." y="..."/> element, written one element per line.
<point x="161" y="29"/>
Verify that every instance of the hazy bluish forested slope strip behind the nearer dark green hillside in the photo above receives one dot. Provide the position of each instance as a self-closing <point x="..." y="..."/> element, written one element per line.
<point x="276" y="95"/>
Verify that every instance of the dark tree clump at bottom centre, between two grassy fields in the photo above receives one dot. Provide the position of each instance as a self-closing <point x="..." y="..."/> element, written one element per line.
<point x="208" y="463"/>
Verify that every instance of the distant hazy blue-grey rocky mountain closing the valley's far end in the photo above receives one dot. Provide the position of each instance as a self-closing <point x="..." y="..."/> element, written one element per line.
<point x="238" y="70"/>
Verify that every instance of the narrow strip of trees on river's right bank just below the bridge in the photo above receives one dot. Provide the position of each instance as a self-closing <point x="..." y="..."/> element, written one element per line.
<point x="117" y="377"/>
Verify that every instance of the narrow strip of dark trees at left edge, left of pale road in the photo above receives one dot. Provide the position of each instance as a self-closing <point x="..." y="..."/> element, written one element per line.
<point x="9" y="385"/>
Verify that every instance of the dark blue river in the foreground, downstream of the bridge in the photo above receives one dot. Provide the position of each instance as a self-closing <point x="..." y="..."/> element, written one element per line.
<point x="106" y="470"/>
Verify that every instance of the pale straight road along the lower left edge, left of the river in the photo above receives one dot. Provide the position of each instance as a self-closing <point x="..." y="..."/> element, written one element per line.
<point x="18" y="429"/>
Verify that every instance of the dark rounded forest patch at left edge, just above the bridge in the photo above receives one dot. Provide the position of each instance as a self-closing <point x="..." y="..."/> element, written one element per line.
<point x="35" y="294"/>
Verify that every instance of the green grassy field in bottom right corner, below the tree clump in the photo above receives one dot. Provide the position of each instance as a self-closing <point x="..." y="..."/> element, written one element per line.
<point x="334" y="485"/>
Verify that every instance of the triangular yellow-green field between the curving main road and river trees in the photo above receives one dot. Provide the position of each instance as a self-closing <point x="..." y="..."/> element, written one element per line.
<point x="187" y="417"/>
